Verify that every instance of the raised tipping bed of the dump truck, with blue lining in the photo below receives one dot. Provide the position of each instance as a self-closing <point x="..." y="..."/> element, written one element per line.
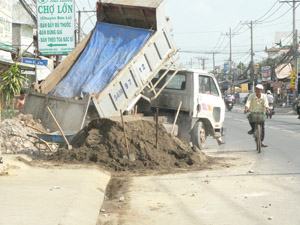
<point x="110" y="68"/>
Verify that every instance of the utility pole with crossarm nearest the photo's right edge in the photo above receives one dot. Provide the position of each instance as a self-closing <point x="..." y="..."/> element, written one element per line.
<point x="293" y="4"/>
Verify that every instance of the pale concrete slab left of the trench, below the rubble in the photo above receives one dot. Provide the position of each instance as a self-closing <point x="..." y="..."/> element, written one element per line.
<point x="74" y="193"/>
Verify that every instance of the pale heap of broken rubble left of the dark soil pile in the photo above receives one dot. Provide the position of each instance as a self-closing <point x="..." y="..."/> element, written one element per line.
<point x="16" y="135"/>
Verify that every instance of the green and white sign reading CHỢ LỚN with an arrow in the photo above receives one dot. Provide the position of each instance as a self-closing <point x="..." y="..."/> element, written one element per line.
<point x="55" y="26"/>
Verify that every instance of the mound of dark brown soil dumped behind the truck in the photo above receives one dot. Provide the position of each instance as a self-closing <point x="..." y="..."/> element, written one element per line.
<point x="103" y="142"/>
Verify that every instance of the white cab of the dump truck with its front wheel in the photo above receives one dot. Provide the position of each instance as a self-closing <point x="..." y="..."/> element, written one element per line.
<point x="202" y="111"/>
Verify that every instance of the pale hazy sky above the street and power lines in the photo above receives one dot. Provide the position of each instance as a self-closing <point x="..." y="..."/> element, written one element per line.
<point x="202" y="26"/>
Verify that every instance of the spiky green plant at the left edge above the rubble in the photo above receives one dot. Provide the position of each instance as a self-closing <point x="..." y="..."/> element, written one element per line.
<point x="11" y="83"/>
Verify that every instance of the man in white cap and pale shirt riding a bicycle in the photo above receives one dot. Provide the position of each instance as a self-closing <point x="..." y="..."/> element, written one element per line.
<point x="257" y="102"/>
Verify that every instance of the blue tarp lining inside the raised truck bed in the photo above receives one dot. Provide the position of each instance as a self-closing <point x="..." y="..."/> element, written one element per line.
<point x="110" y="48"/>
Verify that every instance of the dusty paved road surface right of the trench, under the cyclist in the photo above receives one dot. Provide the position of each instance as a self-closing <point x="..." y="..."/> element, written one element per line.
<point x="259" y="189"/>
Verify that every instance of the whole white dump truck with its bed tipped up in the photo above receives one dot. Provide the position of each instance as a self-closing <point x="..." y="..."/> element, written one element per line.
<point x="128" y="56"/>
